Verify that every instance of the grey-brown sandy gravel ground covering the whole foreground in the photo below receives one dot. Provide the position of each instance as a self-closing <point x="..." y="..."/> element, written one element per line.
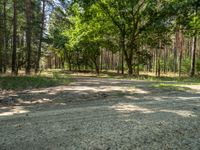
<point x="100" y="114"/>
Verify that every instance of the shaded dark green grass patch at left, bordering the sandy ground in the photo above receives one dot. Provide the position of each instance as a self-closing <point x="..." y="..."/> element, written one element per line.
<point x="30" y="82"/>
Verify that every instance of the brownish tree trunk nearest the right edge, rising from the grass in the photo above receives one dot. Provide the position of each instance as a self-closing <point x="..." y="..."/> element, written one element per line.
<point x="193" y="58"/>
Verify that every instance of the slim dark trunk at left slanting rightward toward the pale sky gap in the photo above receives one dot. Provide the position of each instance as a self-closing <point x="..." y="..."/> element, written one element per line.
<point x="41" y="36"/>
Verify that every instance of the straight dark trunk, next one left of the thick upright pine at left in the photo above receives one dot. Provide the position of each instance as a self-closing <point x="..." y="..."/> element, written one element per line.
<point x="14" y="51"/>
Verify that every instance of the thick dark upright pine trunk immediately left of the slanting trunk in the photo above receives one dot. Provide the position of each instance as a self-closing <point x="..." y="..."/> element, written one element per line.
<point x="28" y="35"/>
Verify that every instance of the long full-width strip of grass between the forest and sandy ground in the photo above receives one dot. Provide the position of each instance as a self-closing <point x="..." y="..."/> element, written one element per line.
<point x="51" y="78"/>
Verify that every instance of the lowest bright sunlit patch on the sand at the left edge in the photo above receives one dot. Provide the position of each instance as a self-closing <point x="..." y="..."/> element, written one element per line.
<point x="13" y="111"/>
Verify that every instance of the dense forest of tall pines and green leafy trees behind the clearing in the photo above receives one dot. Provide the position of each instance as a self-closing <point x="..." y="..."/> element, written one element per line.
<point x="102" y="35"/>
